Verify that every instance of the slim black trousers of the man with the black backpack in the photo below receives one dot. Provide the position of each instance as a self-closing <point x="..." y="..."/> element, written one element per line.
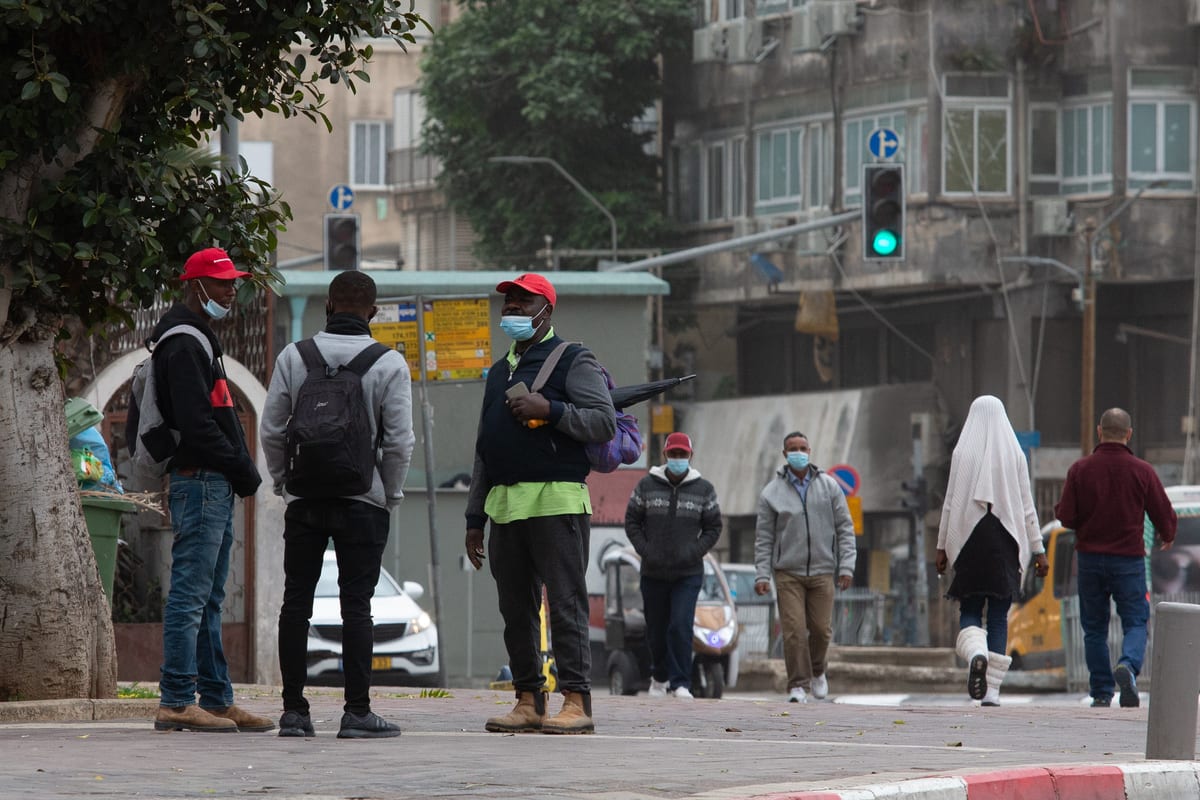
<point x="359" y="532"/>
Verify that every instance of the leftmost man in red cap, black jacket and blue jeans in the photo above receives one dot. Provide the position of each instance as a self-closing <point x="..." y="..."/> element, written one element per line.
<point x="211" y="466"/>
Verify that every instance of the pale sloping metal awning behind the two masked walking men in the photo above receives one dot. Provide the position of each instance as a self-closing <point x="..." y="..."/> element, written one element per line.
<point x="740" y="442"/>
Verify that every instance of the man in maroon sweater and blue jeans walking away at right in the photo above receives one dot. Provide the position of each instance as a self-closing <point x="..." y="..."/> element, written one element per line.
<point x="1105" y="501"/>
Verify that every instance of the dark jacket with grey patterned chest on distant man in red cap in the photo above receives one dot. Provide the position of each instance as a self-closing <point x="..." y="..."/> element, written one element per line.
<point x="673" y="526"/>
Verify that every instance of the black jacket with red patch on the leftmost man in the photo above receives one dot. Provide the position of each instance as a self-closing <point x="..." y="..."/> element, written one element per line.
<point x="195" y="398"/>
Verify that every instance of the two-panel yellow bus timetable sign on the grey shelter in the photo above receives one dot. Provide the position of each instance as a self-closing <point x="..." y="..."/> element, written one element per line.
<point x="458" y="336"/>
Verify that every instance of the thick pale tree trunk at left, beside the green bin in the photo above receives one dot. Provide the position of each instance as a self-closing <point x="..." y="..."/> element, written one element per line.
<point x="56" y="627"/>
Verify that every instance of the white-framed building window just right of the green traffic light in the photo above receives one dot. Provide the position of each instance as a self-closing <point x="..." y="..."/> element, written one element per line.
<point x="975" y="135"/>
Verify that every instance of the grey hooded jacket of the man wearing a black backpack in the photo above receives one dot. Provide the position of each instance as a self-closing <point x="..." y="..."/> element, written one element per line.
<point x="388" y="393"/>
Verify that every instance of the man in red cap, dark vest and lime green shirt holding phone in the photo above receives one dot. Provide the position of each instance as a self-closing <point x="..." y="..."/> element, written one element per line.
<point x="530" y="478"/>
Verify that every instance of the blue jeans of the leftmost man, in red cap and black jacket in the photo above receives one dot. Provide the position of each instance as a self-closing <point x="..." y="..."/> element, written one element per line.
<point x="193" y="658"/>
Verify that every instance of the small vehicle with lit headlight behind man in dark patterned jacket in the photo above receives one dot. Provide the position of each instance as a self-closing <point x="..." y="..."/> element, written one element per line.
<point x="715" y="630"/>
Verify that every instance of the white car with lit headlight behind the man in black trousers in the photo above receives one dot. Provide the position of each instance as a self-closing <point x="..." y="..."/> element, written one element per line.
<point x="406" y="640"/>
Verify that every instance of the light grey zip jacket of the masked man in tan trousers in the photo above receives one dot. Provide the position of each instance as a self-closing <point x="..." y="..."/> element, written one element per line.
<point x="805" y="538"/>
